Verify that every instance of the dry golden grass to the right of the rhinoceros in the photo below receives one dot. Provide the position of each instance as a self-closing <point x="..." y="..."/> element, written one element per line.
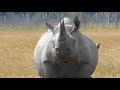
<point x="109" y="52"/>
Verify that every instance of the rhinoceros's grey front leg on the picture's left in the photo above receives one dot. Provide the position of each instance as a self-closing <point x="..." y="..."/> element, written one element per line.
<point x="49" y="70"/>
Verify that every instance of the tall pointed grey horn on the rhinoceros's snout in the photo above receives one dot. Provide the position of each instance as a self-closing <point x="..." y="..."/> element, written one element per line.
<point x="62" y="35"/>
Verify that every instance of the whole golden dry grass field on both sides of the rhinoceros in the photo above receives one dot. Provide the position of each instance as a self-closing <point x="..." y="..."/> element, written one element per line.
<point x="17" y="46"/>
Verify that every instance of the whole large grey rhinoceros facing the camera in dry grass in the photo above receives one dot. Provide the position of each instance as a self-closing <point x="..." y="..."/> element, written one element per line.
<point x="65" y="52"/>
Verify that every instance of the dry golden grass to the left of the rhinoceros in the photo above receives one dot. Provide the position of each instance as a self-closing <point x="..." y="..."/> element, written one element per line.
<point x="16" y="52"/>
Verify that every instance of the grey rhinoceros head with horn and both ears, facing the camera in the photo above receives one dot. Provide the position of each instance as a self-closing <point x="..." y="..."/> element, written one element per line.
<point x="64" y="45"/>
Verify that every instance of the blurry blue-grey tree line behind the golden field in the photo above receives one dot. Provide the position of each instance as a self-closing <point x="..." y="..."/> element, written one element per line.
<point x="37" y="18"/>
